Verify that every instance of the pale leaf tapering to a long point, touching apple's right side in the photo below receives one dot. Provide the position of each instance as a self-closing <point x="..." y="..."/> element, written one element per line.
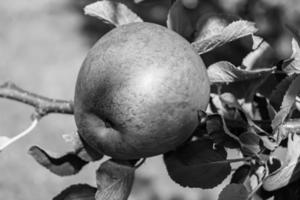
<point x="225" y="72"/>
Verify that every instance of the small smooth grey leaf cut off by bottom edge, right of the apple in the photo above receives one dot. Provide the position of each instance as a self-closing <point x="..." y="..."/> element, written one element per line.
<point x="234" y="192"/>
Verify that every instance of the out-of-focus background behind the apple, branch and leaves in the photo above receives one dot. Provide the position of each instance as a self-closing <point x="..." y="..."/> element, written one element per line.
<point x="42" y="45"/>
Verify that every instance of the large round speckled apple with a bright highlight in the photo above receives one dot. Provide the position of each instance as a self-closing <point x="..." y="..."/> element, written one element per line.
<point x="139" y="91"/>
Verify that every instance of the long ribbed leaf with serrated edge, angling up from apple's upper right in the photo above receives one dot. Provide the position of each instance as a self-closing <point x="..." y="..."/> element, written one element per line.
<point x="233" y="31"/>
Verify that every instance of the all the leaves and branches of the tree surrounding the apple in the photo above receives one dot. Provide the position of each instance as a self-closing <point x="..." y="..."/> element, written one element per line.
<point x="254" y="110"/>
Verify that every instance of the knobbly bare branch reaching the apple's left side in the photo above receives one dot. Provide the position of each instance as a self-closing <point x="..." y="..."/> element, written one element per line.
<point x="42" y="105"/>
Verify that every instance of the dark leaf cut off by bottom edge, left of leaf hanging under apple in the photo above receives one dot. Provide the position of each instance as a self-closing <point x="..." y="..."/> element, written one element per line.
<point x="77" y="192"/>
